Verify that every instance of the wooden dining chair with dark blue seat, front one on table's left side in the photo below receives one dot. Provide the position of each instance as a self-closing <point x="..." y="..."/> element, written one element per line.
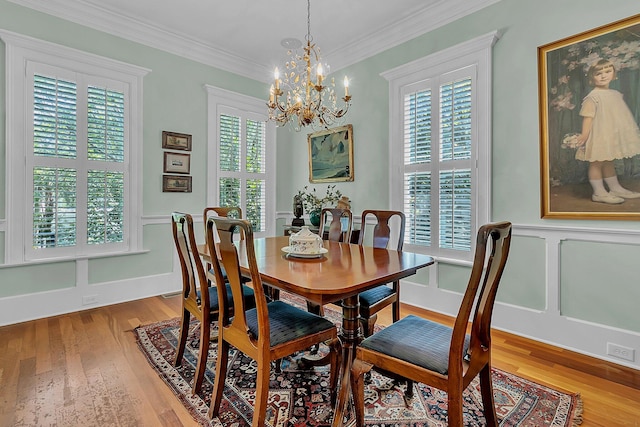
<point x="266" y="333"/>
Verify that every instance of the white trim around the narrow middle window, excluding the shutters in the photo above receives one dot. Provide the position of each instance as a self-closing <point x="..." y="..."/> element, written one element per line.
<point x="221" y="100"/>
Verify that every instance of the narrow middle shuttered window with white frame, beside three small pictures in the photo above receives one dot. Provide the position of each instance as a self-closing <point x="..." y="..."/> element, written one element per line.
<point x="243" y="143"/>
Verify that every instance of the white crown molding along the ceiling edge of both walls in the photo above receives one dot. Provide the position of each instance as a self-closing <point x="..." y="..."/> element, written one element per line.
<point x="380" y="39"/>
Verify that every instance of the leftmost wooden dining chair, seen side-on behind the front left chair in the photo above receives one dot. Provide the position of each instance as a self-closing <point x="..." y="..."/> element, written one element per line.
<point x="199" y="295"/>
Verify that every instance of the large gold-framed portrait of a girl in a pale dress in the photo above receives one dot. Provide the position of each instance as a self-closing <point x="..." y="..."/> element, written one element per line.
<point x="589" y="90"/>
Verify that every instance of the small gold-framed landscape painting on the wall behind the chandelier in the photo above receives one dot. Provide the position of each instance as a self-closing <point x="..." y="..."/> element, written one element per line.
<point x="331" y="155"/>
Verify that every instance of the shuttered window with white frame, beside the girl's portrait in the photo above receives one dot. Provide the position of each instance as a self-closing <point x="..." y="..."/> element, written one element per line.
<point x="440" y="150"/>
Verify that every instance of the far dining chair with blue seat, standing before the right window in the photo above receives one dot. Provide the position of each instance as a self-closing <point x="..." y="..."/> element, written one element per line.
<point x="374" y="300"/>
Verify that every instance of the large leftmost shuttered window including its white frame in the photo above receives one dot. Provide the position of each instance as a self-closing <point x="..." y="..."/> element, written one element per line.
<point x="74" y="144"/>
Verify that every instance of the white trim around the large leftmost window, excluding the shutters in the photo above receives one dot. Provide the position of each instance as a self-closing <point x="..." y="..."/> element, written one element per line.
<point x="20" y="50"/>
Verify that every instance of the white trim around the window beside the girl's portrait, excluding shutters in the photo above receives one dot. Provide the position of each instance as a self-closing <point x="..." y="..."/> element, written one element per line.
<point x="477" y="51"/>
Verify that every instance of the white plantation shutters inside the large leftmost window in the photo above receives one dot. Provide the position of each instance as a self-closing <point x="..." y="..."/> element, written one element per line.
<point x="78" y="145"/>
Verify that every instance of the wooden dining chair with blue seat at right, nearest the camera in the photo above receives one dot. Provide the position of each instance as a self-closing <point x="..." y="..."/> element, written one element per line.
<point x="447" y="358"/>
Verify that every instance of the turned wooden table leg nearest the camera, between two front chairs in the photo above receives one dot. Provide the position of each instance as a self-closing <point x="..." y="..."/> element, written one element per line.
<point x="350" y="336"/>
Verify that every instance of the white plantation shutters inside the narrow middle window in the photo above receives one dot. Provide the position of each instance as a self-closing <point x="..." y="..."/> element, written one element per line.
<point x="242" y="166"/>
